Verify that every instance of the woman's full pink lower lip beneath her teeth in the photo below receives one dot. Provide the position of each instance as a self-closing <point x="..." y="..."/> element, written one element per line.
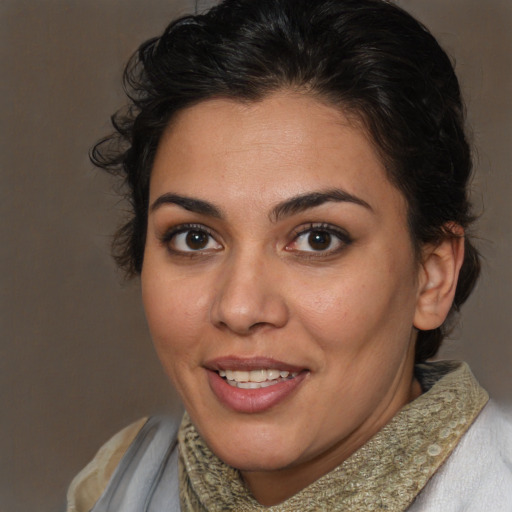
<point x="252" y="400"/>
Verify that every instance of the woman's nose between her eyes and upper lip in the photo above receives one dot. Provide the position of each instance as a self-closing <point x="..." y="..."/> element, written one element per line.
<point x="249" y="297"/>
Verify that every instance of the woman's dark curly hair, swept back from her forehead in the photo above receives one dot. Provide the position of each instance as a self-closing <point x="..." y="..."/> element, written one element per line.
<point x="368" y="57"/>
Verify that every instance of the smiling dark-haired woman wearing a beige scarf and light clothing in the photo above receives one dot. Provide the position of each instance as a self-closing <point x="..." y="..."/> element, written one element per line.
<point x="298" y="173"/>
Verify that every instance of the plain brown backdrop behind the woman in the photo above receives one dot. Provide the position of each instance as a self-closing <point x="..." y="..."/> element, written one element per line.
<point x="75" y="358"/>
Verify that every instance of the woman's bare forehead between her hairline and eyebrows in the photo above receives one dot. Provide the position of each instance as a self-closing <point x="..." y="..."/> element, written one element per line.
<point x="286" y="144"/>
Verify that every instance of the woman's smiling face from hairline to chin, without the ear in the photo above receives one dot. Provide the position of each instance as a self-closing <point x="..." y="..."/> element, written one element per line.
<point x="279" y="281"/>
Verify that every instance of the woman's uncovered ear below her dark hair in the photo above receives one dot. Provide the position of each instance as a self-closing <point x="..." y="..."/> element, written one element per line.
<point x="438" y="277"/>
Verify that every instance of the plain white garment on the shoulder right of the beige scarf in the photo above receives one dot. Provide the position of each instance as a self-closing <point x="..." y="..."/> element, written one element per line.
<point x="478" y="474"/>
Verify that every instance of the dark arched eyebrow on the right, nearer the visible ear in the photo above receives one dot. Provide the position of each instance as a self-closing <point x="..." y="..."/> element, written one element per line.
<point x="303" y="202"/>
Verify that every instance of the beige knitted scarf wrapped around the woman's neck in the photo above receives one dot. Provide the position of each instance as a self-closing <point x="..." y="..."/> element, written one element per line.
<point x="386" y="473"/>
